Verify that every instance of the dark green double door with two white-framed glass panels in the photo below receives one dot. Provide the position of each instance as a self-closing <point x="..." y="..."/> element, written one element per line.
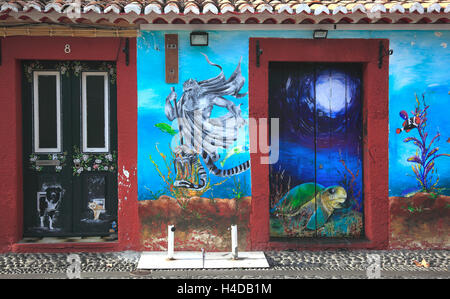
<point x="70" y="149"/>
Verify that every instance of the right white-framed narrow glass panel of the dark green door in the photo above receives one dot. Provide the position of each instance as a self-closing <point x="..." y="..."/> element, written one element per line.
<point x="95" y="112"/>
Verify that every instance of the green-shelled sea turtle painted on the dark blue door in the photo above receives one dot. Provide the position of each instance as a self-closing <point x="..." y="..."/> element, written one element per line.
<point x="303" y="199"/>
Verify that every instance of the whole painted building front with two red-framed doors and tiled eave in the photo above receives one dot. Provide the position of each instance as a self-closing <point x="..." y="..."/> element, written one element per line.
<point x="308" y="125"/>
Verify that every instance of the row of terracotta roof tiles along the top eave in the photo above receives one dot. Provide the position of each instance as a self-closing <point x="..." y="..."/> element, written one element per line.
<point x="149" y="10"/>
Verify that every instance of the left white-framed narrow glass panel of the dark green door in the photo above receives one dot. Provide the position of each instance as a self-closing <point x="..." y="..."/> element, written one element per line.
<point x="47" y="116"/>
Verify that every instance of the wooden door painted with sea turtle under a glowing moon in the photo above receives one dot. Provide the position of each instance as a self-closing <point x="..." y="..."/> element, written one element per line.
<point x="316" y="187"/>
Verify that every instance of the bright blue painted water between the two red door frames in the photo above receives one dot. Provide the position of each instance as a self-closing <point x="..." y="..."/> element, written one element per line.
<point x="153" y="130"/>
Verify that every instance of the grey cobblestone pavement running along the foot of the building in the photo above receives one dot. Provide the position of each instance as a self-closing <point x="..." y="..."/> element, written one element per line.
<point x="283" y="265"/>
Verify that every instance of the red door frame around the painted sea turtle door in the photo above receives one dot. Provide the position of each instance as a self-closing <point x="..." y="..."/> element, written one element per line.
<point x="375" y="124"/>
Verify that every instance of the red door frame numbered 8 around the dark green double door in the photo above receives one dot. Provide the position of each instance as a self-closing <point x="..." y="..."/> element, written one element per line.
<point x="15" y="49"/>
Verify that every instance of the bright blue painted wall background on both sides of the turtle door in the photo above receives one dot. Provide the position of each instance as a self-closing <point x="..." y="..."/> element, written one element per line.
<point x="413" y="69"/>
